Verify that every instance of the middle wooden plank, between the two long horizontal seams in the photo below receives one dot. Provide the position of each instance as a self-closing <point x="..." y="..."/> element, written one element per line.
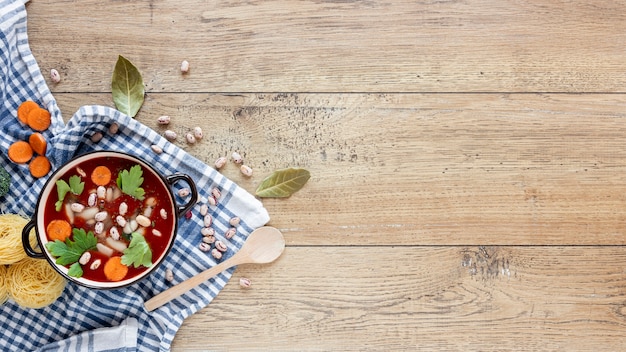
<point x="413" y="169"/>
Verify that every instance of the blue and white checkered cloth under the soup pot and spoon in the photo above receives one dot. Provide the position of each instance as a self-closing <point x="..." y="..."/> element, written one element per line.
<point x="81" y="319"/>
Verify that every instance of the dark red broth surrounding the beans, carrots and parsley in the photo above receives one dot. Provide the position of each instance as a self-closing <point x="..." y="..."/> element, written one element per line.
<point x="156" y="196"/>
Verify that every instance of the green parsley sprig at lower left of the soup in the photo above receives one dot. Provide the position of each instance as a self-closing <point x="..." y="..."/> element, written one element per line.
<point x="69" y="252"/>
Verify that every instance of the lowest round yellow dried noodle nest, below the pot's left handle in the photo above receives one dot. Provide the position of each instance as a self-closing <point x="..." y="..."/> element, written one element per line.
<point x="33" y="283"/>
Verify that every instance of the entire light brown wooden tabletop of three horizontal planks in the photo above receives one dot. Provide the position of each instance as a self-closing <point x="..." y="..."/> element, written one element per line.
<point x="468" y="160"/>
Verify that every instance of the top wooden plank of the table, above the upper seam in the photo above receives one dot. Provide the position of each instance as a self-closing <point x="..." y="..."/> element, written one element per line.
<point x="336" y="46"/>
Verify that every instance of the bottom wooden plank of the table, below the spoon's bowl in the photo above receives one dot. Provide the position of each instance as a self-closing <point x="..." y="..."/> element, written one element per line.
<point x="428" y="298"/>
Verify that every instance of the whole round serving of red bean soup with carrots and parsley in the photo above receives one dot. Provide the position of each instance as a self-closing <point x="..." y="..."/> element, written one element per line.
<point x="108" y="219"/>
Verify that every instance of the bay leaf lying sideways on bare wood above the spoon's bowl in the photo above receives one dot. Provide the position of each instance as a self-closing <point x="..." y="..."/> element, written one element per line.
<point x="283" y="183"/>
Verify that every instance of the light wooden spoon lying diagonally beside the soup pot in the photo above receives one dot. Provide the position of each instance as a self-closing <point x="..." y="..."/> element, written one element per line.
<point x="263" y="245"/>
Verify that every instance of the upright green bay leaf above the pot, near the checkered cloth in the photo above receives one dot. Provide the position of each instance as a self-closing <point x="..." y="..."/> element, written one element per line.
<point x="127" y="87"/>
